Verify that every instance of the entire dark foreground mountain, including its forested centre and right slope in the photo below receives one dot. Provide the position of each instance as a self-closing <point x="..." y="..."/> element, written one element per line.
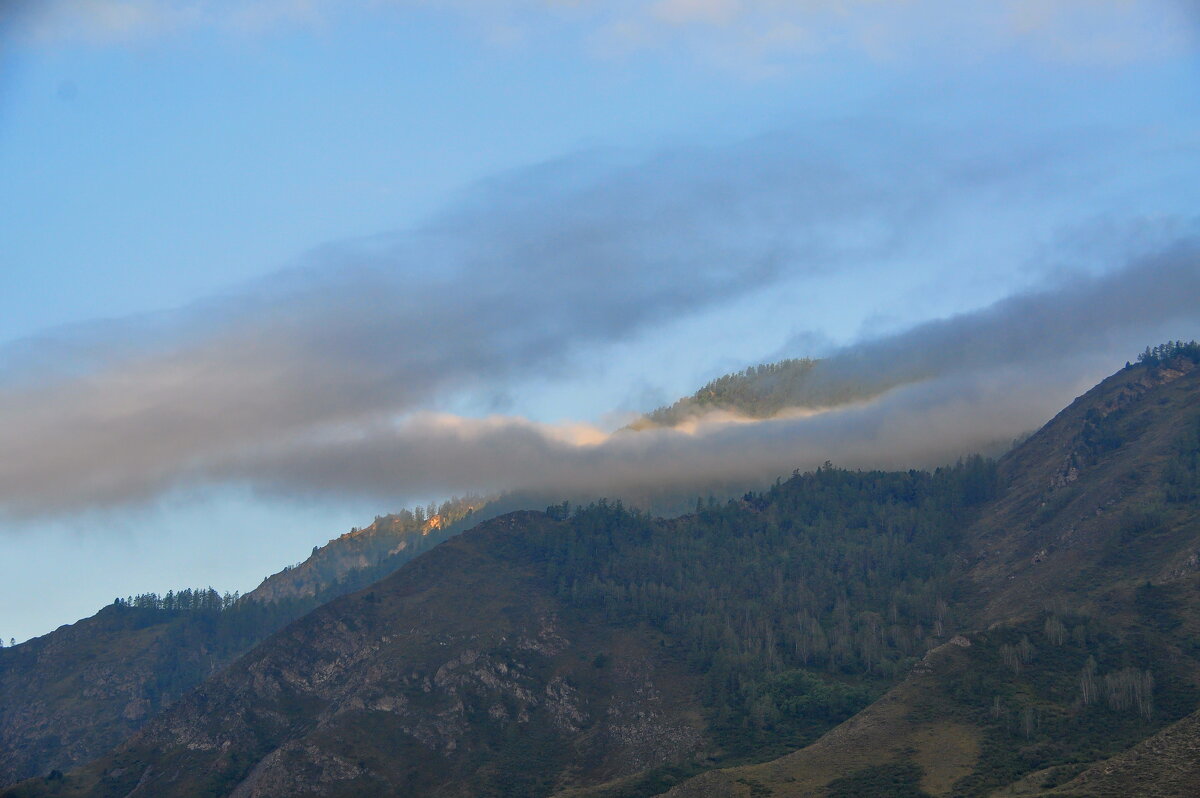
<point x="1025" y="627"/>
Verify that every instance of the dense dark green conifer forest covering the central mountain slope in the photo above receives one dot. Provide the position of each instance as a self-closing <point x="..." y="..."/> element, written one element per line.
<point x="799" y="605"/>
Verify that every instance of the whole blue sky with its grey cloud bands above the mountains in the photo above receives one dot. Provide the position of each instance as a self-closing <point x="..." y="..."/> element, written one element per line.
<point x="269" y="268"/>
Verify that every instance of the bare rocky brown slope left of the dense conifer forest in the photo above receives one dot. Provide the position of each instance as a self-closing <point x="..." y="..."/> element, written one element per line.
<point x="386" y="686"/>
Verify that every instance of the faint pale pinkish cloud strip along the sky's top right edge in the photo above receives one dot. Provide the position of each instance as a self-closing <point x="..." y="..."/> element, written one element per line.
<point x="1091" y="32"/>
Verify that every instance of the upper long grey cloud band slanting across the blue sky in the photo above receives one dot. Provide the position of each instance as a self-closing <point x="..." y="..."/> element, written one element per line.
<point x="502" y="286"/>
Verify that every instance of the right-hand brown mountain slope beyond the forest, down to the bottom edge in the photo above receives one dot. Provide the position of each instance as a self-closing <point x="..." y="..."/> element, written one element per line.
<point x="1081" y="584"/>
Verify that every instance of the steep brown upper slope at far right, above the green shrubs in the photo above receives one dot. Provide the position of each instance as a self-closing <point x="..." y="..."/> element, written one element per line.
<point x="1100" y="501"/>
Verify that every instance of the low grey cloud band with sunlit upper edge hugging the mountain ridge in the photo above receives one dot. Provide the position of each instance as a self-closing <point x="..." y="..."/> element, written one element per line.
<point x="968" y="382"/>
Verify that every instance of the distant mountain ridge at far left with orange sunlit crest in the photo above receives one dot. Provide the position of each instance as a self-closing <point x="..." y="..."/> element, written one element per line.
<point x="71" y="695"/>
